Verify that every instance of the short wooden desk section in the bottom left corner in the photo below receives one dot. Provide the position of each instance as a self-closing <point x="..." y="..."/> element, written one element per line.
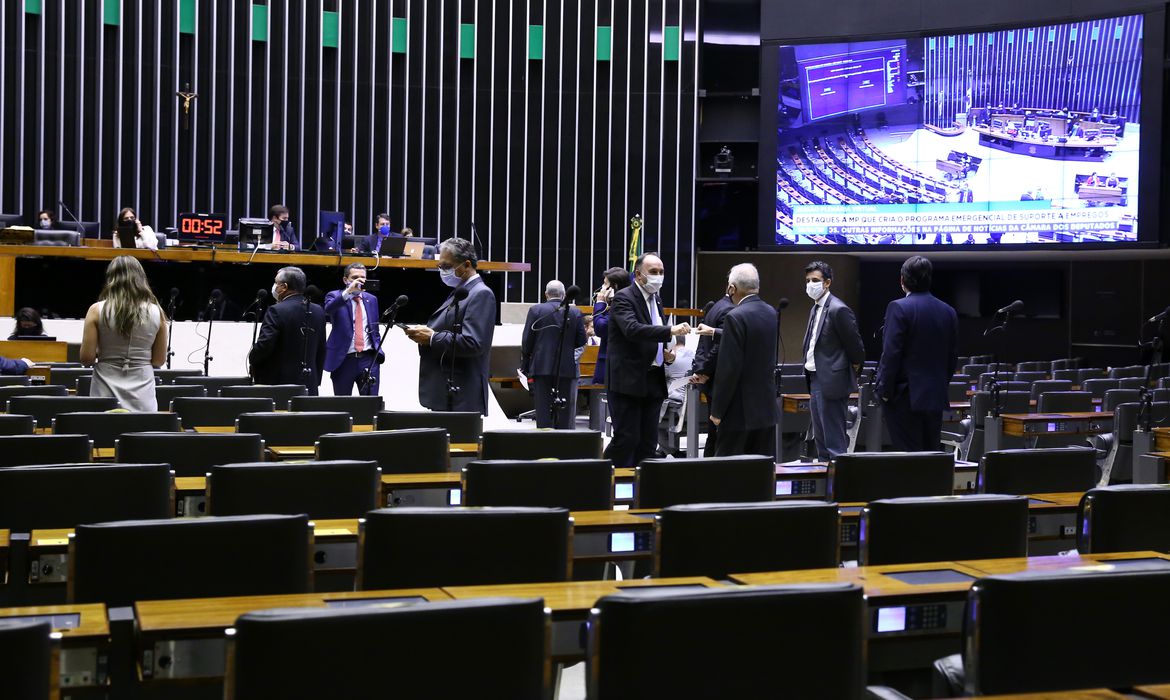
<point x="85" y="642"/>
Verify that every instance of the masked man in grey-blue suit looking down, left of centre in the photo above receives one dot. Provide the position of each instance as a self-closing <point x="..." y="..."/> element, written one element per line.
<point x="471" y="349"/>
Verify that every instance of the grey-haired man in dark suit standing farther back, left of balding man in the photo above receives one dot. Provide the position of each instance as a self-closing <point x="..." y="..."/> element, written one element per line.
<point x="539" y="359"/>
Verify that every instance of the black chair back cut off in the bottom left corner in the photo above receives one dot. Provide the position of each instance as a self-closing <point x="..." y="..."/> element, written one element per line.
<point x="29" y="658"/>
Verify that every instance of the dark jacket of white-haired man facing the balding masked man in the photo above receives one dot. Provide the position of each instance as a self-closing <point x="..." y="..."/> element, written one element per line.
<point x="745" y="399"/>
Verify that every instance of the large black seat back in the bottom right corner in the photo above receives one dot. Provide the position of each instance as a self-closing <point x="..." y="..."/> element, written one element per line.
<point x="1082" y="630"/>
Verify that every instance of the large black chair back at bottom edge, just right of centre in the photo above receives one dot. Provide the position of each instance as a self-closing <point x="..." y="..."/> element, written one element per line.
<point x="641" y="643"/>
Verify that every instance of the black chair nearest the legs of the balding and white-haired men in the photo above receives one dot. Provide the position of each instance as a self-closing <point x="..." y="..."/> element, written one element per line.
<point x="664" y="483"/>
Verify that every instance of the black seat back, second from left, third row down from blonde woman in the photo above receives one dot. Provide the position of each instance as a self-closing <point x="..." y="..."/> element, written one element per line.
<point x="190" y="455"/>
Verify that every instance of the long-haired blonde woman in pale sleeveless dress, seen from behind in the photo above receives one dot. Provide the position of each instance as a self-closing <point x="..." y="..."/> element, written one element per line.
<point x="125" y="338"/>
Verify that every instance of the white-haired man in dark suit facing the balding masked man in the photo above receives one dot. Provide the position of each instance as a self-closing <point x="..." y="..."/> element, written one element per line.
<point x="744" y="406"/>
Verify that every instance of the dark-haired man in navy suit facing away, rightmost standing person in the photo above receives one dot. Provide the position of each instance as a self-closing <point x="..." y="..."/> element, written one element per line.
<point x="918" y="361"/>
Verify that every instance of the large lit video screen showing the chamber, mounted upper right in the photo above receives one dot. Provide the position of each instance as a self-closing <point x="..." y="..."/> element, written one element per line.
<point x="1024" y="136"/>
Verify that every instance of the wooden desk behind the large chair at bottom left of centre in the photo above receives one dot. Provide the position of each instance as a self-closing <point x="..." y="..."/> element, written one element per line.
<point x="185" y="640"/>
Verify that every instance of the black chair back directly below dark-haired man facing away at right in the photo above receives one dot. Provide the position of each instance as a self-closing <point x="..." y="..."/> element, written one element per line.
<point x="866" y="477"/>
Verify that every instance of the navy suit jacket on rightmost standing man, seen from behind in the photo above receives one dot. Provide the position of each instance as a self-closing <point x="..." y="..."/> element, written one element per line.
<point x="918" y="353"/>
